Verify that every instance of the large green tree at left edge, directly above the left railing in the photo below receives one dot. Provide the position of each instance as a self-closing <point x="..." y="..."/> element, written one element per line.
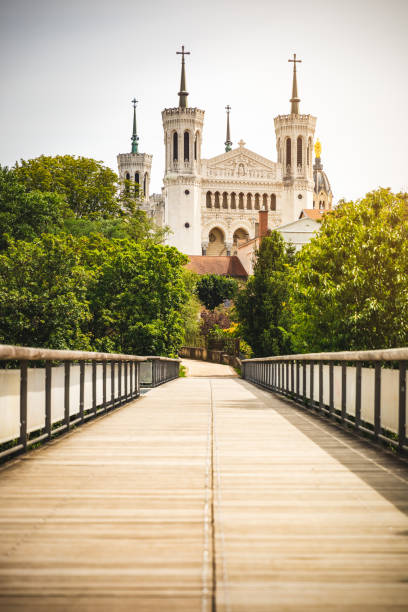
<point x="43" y="290"/>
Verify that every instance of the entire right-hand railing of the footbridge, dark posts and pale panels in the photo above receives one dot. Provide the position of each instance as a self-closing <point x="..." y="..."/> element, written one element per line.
<point x="362" y="389"/>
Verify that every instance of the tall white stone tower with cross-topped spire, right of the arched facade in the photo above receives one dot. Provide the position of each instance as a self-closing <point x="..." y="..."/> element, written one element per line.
<point x="294" y="143"/>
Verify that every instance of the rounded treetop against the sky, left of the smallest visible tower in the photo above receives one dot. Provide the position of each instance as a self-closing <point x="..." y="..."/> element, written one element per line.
<point x="89" y="187"/>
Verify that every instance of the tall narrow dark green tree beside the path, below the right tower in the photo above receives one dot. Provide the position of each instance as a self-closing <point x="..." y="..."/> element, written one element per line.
<point x="262" y="305"/>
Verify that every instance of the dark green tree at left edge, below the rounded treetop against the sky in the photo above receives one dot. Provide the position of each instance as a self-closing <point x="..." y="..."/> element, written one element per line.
<point x="25" y="215"/>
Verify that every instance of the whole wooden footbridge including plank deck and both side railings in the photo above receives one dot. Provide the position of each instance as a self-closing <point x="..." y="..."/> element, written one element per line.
<point x="283" y="490"/>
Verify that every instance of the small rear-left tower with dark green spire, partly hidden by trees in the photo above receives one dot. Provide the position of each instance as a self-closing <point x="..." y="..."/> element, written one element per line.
<point x="135" y="166"/>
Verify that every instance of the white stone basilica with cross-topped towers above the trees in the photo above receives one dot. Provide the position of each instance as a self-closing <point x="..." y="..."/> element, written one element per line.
<point x="212" y="206"/>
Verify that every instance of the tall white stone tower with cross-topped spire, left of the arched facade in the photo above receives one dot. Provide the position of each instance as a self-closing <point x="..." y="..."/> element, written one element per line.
<point x="183" y="128"/>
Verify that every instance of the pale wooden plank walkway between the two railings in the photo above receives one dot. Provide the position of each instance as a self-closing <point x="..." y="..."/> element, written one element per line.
<point x="205" y="494"/>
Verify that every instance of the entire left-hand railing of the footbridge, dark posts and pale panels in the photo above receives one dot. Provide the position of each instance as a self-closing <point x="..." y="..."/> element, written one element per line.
<point x="37" y="403"/>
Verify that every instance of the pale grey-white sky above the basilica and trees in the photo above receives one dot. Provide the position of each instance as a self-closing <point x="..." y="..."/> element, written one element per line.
<point x="69" y="70"/>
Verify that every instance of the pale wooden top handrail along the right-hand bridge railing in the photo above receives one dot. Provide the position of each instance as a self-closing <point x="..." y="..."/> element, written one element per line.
<point x="398" y="354"/>
